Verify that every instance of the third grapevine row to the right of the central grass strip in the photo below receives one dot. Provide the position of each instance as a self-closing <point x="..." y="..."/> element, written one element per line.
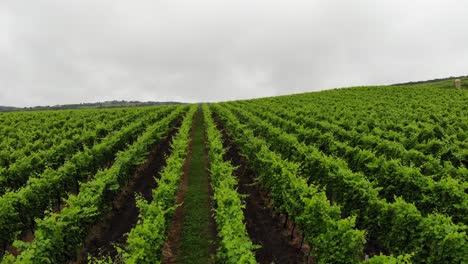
<point x="397" y="226"/>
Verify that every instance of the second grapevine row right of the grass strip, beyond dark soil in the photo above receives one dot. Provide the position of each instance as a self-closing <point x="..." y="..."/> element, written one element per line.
<point x="333" y="239"/>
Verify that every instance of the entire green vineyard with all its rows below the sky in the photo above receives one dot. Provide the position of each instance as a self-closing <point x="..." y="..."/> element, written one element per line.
<point x="356" y="175"/>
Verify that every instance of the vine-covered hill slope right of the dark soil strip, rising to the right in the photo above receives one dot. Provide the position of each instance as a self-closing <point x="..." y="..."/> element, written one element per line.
<point x="394" y="159"/>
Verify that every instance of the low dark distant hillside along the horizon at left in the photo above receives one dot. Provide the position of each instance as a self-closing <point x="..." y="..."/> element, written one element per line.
<point x="106" y="104"/>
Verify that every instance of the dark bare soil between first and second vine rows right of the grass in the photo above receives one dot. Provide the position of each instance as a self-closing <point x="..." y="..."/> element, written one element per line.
<point x="266" y="230"/>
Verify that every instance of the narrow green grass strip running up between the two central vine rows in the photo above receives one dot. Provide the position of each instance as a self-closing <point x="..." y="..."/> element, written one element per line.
<point x="197" y="238"/>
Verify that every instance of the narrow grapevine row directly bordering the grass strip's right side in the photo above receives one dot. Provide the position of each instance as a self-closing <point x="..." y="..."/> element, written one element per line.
<point x="235" y="245"/>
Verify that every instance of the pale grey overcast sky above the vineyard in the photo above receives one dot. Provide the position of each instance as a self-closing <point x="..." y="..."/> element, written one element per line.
<point x="57" y="52"/>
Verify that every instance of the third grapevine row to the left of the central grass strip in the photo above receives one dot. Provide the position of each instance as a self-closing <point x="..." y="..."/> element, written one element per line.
<point x="18" y="209"/>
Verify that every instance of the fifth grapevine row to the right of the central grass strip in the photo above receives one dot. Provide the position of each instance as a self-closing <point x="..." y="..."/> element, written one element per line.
<point x="391" y="149"/>
